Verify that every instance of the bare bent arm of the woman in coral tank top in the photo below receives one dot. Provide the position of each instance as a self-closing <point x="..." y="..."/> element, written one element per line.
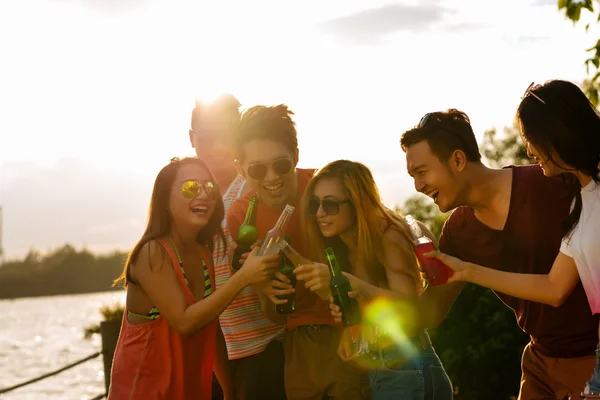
<point x="153" y="270"/>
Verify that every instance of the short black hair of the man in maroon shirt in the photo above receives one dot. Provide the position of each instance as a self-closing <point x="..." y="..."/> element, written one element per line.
<point x="445" y="132"/>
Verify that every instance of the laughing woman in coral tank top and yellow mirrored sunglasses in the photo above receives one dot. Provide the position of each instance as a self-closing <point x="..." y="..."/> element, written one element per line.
<point x="166" y="348"/>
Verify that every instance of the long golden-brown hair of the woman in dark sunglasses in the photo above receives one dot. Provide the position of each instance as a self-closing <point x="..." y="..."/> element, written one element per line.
<point x="369" y="210"/>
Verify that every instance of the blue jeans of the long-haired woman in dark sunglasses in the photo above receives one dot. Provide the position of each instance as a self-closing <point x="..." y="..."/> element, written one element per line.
<point x="421" y="377"/>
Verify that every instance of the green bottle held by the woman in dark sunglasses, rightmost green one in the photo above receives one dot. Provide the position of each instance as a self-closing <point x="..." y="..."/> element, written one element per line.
<point x="340" y="286"/>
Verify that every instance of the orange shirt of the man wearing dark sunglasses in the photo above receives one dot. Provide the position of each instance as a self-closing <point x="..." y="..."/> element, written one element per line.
<point x="310" y="308"/>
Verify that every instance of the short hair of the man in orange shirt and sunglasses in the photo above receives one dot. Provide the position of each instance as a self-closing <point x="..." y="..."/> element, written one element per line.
<point x="263" y="122"/>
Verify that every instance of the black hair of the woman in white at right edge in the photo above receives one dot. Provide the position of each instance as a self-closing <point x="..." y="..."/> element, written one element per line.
<point x="557" y="118"/>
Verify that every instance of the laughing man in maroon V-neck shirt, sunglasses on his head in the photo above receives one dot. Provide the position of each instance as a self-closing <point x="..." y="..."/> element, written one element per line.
<point x="506" y="219"/>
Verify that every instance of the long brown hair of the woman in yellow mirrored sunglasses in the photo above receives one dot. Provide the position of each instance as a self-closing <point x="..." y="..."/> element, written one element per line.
<point x="160" y="220"/>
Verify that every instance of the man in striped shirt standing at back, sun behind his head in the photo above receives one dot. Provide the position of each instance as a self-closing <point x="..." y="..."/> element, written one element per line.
<point x="211" y="133"/>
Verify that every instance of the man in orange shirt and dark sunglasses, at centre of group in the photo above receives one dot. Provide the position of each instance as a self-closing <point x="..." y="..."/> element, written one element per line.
<point x="267" y="154"/>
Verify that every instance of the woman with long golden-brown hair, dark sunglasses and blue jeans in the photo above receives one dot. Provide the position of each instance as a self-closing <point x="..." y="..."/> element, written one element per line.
<point x="342" y="209"/>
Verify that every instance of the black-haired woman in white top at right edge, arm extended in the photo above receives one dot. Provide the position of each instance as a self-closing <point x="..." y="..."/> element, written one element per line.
<point x="561" y="131"/>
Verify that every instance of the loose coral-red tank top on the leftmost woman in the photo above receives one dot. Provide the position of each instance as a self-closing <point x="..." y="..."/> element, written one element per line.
<point x="152" y="361"/>
